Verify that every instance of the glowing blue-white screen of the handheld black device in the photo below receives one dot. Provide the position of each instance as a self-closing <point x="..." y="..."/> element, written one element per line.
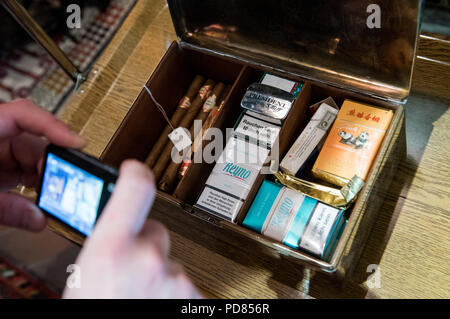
<point x="70" y="194"/>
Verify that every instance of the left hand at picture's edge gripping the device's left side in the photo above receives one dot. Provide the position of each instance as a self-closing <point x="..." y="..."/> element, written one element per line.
<point x="25" y="131"/>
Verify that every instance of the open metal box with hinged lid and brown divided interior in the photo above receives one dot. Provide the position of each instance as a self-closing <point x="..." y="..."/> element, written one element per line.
<point x="334" y="47"/>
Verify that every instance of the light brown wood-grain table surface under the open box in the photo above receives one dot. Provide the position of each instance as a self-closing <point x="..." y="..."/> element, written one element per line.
<point x="410" y="240"/>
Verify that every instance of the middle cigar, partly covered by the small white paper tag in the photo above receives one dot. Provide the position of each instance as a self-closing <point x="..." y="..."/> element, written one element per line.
<point x="186" y="122"/>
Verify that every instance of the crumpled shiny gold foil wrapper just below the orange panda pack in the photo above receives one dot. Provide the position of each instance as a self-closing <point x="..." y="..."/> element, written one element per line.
<point x="341" y="198"/>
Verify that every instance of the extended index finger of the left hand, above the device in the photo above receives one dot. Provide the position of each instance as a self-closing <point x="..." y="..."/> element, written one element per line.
<point x="24" y="116"/>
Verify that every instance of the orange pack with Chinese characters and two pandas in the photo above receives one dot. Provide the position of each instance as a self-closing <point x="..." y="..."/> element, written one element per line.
<point x="352" y="143"/>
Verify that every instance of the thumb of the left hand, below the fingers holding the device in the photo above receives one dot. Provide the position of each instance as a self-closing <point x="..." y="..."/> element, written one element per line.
<point x="17" y="211"/>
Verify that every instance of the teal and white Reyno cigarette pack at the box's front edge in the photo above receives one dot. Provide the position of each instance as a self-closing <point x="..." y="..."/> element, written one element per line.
<point x="295" y="219"/>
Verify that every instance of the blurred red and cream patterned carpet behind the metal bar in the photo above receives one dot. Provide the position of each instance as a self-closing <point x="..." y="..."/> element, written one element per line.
<point x="29" y="72"/>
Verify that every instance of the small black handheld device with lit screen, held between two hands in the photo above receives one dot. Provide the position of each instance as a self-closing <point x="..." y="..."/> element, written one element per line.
<point x="74" y="188"/>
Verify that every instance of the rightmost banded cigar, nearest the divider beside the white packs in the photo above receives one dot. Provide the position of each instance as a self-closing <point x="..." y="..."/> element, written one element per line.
<point x="170" y="175"/>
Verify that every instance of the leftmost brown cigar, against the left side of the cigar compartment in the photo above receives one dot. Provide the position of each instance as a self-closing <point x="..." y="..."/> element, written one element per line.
<point x="183" y="106"/>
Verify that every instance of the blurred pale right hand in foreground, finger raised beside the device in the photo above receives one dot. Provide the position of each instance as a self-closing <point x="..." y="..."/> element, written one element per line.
<point x="126" y="256"/>
